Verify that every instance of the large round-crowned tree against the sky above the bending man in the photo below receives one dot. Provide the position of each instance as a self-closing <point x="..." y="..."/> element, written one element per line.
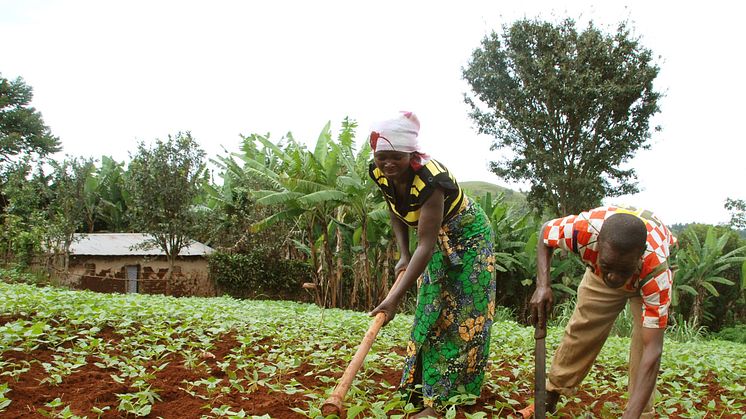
<point x="571" y="106"/>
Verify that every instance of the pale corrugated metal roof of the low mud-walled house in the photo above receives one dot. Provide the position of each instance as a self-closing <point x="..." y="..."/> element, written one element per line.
<point x="124" y="244"/>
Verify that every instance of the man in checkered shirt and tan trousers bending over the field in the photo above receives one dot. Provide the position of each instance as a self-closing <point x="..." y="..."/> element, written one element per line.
<point x="626" y="251"/>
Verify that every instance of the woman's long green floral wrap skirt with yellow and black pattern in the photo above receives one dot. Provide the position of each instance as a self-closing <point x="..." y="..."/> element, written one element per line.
<point x="455" y="310"/>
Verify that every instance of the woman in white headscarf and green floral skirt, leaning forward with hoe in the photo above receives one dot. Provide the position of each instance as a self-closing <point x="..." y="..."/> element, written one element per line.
<point x="449" y="342"/>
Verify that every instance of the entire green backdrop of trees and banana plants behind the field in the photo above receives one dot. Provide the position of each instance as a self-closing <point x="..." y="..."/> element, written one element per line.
<point x="572" y="104"/>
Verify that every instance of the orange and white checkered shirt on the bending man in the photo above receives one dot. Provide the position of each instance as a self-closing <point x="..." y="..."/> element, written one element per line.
<point x="579" y="233"/>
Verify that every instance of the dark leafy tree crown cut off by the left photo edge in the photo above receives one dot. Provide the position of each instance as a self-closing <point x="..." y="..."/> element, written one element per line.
<point x="22" y="130"/>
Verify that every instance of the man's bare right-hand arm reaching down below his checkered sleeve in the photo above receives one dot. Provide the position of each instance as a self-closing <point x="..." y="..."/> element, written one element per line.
<point x="647" y="371"/>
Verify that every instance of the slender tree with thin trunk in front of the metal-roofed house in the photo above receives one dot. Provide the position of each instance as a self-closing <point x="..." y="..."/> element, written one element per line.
<point x="164" y="181"/>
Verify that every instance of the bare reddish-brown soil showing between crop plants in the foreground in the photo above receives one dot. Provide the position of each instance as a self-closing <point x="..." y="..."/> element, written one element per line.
<point x="92" y="391"/>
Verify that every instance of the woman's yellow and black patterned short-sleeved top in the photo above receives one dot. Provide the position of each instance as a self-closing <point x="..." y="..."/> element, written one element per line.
<point x="432" y="175"/>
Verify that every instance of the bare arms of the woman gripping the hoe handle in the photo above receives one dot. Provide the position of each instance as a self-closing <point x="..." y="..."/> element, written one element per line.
<point x="431" y="218"/>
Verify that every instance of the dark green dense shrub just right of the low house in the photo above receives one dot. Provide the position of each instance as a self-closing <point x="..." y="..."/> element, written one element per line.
<point x="258" y="275"/>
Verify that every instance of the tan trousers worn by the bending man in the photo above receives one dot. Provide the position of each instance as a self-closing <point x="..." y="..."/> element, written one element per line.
<point x="597" y="308"/>
